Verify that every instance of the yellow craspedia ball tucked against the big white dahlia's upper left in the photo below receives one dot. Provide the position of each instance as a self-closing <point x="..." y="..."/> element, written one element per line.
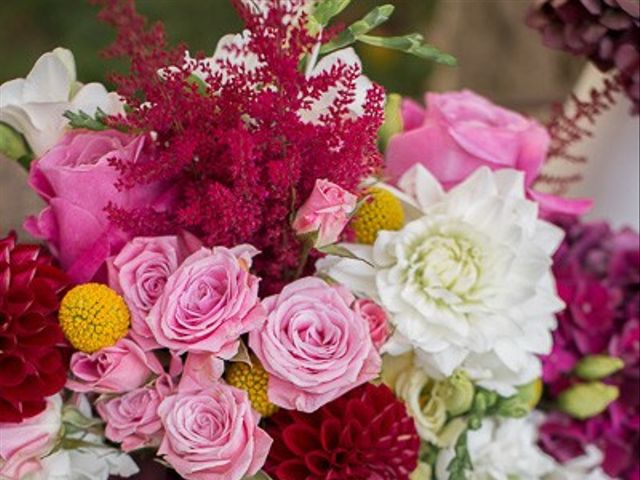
<point x="382" y="211"/>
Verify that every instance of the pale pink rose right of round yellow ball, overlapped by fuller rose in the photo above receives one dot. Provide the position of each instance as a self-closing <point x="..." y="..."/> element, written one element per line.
<point x="139" y="273"/>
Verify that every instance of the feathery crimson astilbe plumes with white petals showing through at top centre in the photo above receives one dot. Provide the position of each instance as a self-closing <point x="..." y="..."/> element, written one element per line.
<point x="244" y="136"/>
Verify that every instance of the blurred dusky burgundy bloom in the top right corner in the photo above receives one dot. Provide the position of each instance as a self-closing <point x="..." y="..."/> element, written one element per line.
<point x="605" y="31"/>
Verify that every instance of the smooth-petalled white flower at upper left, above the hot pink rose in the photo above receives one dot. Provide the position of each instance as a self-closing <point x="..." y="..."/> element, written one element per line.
<point x="34" y="105"/>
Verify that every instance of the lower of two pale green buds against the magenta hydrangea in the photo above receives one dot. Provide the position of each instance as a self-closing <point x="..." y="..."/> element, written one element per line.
<point x="586" y="400"/>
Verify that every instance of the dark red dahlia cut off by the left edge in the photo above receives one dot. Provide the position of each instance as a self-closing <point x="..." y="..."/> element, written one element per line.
<point x="33" y="354"/>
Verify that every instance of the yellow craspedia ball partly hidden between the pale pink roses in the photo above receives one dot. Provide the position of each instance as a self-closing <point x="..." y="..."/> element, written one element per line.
<point x="254" y="380"/>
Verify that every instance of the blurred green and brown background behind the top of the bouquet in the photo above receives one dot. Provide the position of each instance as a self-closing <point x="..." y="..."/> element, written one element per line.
<point x="499" y="56"/>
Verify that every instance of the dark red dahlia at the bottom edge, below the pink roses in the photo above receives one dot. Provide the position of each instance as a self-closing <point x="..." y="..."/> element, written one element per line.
<point x="363" y="435"/>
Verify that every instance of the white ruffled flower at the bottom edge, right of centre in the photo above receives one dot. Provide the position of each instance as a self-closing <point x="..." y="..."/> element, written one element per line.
<point x="501" y="450"/>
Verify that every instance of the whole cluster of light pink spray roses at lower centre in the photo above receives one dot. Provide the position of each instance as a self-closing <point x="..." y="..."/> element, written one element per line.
<point x="194" y="304"/>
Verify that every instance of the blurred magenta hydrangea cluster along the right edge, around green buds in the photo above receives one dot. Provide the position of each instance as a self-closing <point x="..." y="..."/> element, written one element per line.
<point x="598" y="276"/>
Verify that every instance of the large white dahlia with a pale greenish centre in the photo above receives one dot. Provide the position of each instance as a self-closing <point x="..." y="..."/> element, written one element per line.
<point x="467" y="281"/>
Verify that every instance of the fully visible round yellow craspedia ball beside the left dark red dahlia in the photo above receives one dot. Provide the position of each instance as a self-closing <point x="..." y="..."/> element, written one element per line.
<point x="93" y="316"/>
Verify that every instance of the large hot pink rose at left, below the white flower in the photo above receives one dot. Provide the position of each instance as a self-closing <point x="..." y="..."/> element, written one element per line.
<point x="77" y="182"/>
